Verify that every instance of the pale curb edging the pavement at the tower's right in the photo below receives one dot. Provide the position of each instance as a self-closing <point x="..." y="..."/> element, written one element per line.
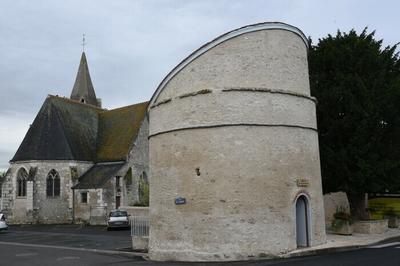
<point x="324" y="251"/>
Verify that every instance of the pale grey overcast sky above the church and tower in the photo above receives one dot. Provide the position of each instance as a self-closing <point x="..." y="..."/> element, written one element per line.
<point x="132" y="45"/>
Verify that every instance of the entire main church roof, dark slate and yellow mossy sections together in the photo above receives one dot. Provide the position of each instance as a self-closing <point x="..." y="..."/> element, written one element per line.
<point x="68" y="130"/>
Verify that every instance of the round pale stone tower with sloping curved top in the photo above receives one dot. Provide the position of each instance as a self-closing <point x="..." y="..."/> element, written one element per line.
<point x="234" y="159"/>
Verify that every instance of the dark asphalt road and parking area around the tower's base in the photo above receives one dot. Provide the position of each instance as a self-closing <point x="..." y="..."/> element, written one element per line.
<point x="71" y="245"/>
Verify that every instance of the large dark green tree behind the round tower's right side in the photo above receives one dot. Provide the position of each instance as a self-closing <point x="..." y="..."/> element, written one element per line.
<point x="357" y="84"/>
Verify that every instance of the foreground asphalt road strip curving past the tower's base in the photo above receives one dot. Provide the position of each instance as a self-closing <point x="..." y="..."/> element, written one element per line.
<point x="43" y="256"/>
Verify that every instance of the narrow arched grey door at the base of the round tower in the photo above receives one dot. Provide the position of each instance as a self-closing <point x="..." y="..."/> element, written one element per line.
<point x="302" y="234"/>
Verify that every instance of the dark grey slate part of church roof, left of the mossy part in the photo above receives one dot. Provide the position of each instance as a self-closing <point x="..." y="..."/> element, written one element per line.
<point x="62" y="130"/>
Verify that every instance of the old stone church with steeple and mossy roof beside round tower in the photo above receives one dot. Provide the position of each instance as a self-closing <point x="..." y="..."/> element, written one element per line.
<point x="77" y="161"/>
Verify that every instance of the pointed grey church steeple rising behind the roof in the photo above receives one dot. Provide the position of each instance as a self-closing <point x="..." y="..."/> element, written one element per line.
<point x="83" y="90"/>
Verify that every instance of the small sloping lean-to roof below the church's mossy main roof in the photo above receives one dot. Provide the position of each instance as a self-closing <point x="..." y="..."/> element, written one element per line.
<point x="98" y="175"/>
